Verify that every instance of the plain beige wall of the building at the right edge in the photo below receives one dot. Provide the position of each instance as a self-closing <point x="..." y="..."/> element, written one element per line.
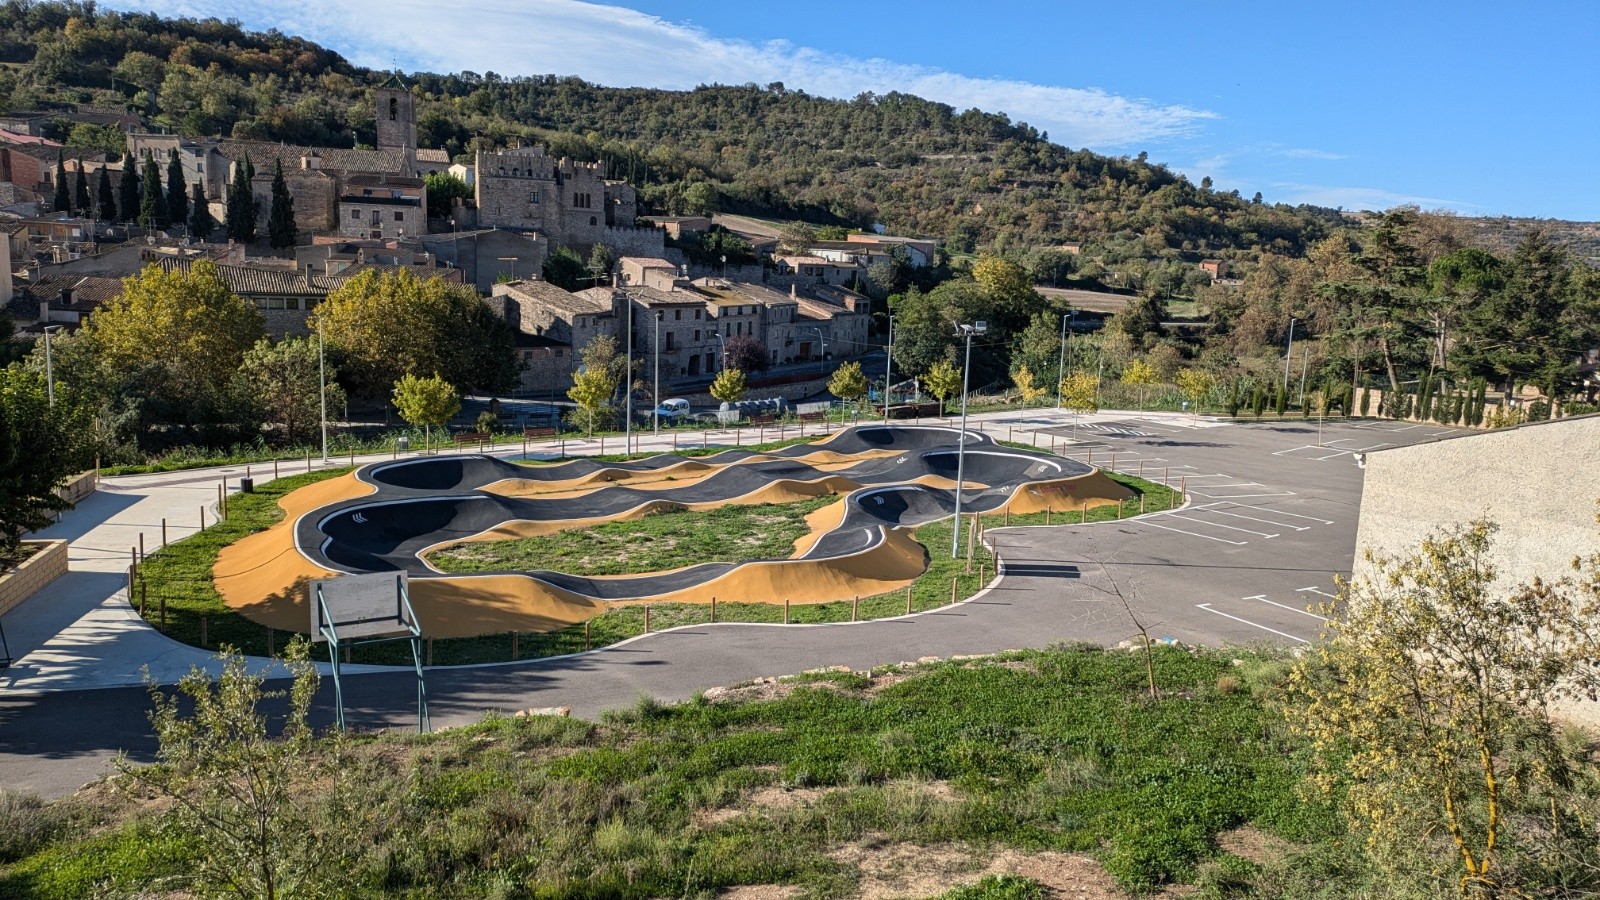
<point x="1538" y="483"/>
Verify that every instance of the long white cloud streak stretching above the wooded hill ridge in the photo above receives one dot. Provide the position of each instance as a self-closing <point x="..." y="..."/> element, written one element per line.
<point x="615" y="46"/>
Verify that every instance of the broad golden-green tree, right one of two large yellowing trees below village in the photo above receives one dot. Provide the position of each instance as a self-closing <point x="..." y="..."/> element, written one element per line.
<point x="391" y="324"/>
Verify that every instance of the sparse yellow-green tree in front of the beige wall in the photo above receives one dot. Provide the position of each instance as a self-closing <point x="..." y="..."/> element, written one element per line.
<point x="1428" y="705"/>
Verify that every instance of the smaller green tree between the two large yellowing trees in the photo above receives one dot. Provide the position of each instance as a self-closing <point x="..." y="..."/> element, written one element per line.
<point x="284" y="380"/>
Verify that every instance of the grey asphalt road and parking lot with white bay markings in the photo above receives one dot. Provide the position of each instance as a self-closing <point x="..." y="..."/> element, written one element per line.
<point x="1271" y="523"/>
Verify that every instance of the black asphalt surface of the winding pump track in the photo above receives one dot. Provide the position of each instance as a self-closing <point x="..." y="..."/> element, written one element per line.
<point x="423" y="504"/>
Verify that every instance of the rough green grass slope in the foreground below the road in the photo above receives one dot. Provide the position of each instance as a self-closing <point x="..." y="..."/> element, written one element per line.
<point x="801" y="782"/>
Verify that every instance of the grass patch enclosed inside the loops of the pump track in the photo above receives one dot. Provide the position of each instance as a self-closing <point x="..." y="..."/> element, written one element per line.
<point x="655" y="544"/>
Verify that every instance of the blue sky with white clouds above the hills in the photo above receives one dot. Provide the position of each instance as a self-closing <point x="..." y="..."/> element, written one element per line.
<point x="1470" y="106"/>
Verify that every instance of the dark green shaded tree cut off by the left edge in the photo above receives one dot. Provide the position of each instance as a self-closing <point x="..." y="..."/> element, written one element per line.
<point x="36" y="456"/>
